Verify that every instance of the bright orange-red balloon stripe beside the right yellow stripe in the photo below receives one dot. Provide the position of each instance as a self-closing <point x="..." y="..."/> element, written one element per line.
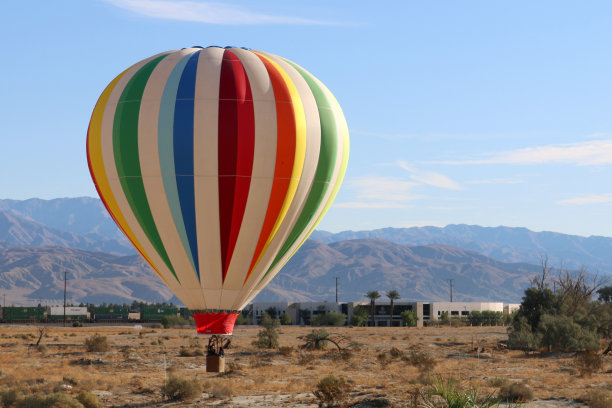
<point x="285" y="156"/>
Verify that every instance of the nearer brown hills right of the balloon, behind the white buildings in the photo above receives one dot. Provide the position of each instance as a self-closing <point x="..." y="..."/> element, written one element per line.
<point x="417" y="272"/>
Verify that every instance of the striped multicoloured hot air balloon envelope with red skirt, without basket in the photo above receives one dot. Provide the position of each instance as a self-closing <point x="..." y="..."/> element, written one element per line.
<point x="217" y="164"/>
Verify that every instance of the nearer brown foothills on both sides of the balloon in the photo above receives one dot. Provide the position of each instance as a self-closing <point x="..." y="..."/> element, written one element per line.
<point x="28" y="274"/>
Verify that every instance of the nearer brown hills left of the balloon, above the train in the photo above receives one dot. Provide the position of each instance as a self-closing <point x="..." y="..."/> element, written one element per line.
<point x="31" y="274"/>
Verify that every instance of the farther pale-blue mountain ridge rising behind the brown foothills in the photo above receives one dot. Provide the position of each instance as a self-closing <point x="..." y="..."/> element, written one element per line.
<point x="87" y="217"/>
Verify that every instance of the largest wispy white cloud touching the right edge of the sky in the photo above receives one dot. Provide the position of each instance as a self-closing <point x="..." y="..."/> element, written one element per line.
<point x="589" y="153"/>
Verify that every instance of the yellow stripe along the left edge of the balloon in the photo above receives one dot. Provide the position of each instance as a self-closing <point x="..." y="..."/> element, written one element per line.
<point x="94" y="151"/>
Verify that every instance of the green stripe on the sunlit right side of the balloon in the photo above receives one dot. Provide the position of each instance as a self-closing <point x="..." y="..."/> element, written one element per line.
<point x="325" y="166"/>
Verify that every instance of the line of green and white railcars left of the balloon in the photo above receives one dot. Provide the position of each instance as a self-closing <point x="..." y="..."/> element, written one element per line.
<point x="93" y="314"/>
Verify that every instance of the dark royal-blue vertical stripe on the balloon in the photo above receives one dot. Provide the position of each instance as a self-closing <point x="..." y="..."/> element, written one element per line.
<point x="183" y="152"/>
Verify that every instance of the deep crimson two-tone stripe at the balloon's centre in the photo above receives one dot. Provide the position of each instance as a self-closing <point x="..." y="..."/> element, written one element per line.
<point x="236" y="149"/>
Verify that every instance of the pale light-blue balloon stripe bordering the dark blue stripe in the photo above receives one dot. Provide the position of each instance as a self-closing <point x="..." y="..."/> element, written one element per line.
<point x="166" y="152"/>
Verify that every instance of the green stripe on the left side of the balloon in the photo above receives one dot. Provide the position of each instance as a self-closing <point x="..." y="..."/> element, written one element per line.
<point x="125" y="146"/>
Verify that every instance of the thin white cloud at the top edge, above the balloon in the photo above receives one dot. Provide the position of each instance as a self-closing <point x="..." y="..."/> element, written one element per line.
<point x="205" y="12"/>
